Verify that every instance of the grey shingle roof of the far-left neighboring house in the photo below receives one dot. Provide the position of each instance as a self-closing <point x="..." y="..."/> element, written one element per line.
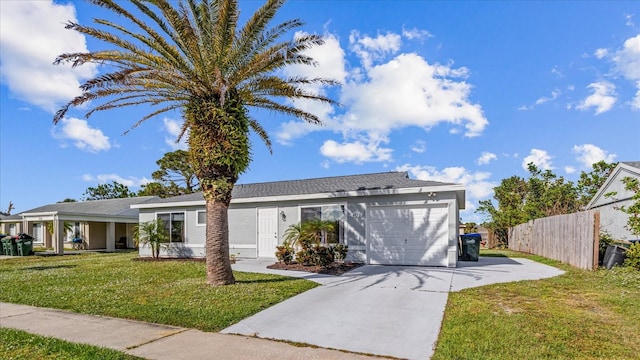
<point x="110" y="207"/>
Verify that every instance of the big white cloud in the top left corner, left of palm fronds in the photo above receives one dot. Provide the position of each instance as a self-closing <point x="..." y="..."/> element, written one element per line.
<point x="27" y="52"/>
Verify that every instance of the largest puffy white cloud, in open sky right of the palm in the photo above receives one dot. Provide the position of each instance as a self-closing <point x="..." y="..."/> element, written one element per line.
<point x="408" y="91"/>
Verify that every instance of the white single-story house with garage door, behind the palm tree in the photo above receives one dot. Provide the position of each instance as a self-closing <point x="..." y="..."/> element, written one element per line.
<point x="384" y="218"/>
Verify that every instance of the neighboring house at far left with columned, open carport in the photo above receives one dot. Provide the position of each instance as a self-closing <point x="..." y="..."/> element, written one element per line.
<point x="102" y="224"/>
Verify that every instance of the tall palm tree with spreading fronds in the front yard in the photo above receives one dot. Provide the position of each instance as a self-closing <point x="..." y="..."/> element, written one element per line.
<point x="197" y="59"/>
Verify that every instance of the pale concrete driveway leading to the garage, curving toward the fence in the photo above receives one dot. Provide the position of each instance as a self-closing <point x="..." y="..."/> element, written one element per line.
<point x="382" y="310"/>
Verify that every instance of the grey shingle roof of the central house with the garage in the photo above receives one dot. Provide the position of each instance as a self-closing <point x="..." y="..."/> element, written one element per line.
<point x="336" y="184"/>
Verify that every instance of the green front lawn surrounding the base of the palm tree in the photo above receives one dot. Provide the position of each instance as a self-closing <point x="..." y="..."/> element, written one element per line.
<point x="168" y="292"/>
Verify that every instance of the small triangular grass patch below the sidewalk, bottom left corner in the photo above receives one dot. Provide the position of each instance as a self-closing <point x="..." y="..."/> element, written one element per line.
<point x="19" y="345"/>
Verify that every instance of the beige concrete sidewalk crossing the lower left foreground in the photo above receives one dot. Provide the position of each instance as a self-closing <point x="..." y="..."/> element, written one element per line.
<point x="154" y="341"/>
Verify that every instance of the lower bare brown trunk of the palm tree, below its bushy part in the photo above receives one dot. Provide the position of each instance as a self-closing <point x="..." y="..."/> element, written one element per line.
<point x="217" y="244"/>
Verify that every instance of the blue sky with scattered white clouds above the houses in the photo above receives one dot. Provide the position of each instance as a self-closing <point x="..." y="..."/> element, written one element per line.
<point x="465" y="92"/>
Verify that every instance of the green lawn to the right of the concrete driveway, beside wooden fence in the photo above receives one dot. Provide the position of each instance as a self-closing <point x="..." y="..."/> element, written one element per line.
<point x="578" y="315"/>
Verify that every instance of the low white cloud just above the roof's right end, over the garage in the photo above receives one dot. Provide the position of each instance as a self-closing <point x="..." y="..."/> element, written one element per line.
<point x="477" y="184"/>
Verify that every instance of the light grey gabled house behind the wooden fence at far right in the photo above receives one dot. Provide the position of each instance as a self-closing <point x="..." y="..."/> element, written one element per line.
<point x="611" y="196"/>
